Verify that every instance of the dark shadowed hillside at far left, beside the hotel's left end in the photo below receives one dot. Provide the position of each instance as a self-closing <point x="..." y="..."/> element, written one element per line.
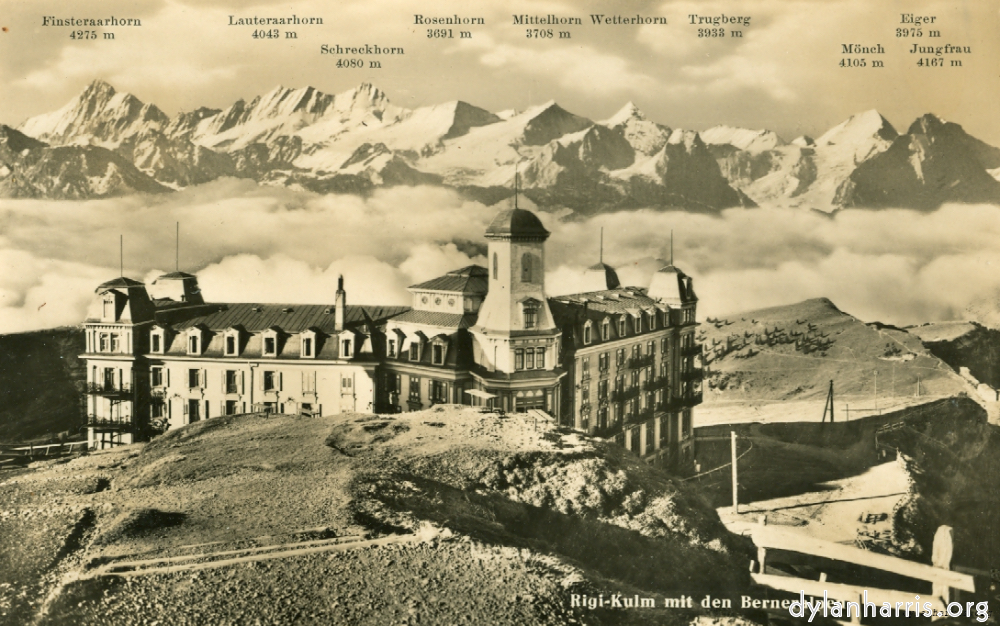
<point x="41" y="381"/>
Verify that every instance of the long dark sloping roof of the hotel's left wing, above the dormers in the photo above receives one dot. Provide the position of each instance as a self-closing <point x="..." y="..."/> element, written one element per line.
<point x="291" y="318"/>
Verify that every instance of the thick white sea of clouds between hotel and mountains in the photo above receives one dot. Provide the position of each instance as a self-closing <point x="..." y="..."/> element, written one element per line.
<point x="264" y="244"/>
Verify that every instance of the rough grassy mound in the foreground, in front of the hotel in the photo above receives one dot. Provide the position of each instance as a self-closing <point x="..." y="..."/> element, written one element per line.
<point x="440" y="517"/>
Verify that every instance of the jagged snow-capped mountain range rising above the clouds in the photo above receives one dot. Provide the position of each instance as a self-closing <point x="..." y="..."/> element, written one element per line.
<point x="105" y="142"/>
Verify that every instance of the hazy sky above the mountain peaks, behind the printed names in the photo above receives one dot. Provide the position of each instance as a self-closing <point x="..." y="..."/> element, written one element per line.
<point x="782" y="74"/>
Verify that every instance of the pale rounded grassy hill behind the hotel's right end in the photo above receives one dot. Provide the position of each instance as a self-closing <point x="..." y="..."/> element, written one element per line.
<point x="776" y="364"/>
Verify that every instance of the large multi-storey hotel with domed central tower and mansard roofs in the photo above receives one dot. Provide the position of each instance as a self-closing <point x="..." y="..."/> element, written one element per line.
<point x="616" y="362"/>
